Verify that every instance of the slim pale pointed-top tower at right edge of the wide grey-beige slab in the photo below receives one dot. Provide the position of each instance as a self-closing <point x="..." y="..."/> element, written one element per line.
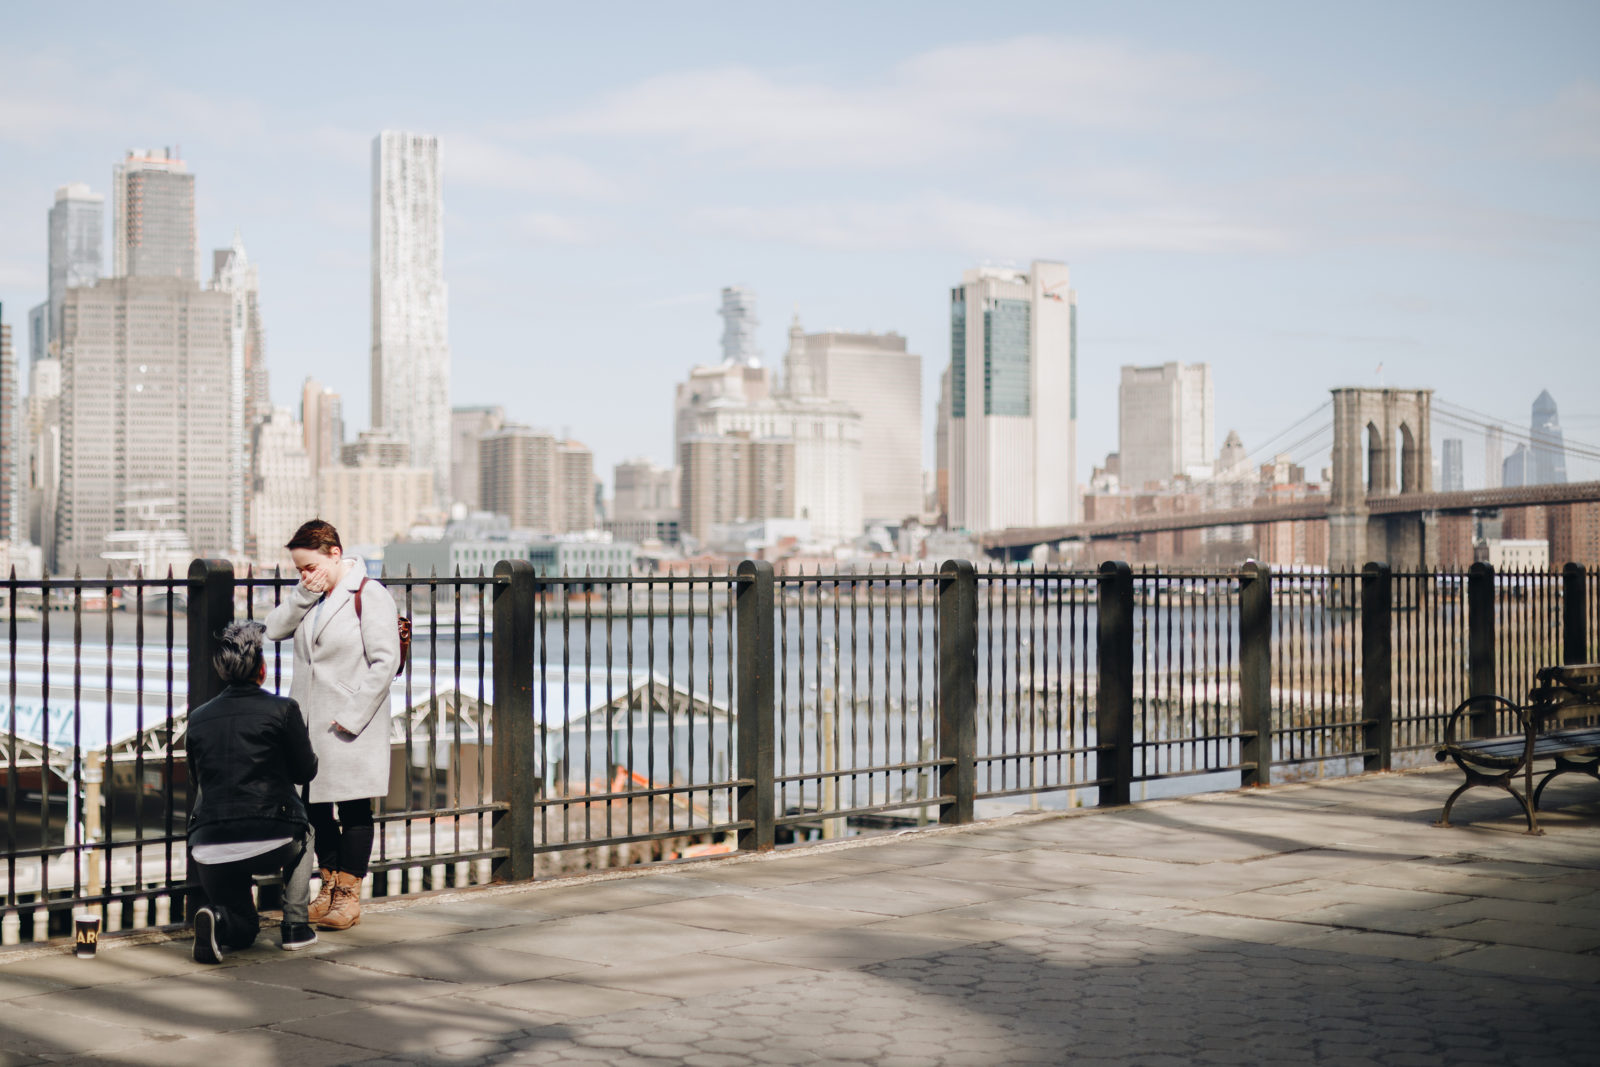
<point x="234" y="274"/>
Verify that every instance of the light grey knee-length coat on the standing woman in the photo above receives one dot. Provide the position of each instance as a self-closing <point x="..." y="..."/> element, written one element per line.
<point x="343" y="669"/>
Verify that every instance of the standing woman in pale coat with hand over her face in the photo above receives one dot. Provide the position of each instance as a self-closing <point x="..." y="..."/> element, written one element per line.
<point x="345" y="663"/>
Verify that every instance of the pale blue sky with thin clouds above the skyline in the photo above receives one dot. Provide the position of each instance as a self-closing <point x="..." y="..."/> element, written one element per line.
<point x="1302" y="196"/>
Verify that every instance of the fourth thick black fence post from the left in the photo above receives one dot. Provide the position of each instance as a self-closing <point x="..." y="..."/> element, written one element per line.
<point x="958" y="690"/>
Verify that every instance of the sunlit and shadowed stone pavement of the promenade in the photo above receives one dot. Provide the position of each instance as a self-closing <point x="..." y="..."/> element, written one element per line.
<point x="1305" y="924"/>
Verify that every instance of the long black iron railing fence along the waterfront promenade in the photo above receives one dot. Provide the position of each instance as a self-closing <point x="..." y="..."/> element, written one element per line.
<point x="546" y="725"/>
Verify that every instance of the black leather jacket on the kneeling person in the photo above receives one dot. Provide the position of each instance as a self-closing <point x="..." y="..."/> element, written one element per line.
<point x="249" y="749"/>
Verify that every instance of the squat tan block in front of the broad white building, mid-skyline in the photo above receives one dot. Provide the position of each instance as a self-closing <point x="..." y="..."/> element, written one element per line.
<point x="735" y="478"/>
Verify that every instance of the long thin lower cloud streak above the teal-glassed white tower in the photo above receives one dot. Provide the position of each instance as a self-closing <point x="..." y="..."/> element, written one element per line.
<point x="985" y="230"/>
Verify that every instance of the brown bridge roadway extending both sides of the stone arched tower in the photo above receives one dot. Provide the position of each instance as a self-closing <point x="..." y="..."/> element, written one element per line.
<point x="1300" y="511"/>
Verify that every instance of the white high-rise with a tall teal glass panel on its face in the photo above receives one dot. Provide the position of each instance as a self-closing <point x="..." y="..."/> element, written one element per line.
<point x="1014" y="399"/>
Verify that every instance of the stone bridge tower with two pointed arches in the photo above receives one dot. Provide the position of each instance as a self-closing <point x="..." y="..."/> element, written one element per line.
<point x="1396" y="428"/>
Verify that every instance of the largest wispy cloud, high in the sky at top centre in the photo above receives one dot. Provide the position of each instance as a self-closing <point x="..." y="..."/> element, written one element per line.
<point x="954" y="100"/>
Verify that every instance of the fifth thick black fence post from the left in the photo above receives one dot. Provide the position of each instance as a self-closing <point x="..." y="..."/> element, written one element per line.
<point x="1114" y="700"/>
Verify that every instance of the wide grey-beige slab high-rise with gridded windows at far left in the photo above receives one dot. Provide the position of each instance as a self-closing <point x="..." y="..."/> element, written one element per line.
<point x="145" y="407"/>
